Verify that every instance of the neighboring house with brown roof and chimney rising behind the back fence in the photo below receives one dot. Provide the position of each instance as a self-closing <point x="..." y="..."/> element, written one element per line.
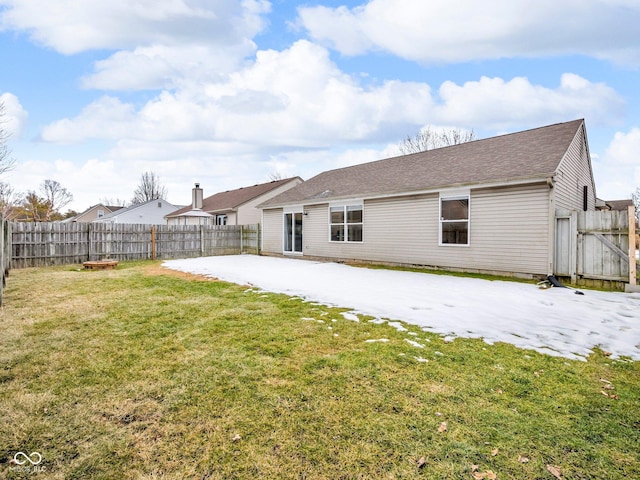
<point x="233" y="207"/>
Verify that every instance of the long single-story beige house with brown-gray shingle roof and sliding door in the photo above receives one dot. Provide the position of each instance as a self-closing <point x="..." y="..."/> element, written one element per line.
<point x="486" y="206"/>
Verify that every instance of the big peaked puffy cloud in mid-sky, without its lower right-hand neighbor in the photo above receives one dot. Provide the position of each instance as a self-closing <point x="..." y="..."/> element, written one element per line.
<point x="296" y="97"/>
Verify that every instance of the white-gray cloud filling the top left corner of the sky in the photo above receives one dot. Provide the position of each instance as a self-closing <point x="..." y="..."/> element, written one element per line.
<point x="157" y="44"/>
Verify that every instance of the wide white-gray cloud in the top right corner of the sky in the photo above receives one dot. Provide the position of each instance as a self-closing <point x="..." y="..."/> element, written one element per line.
<point x="439" y="31"/>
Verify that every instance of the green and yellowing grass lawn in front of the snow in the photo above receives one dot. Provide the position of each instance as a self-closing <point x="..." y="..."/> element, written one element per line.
<point x="142" y="373"/>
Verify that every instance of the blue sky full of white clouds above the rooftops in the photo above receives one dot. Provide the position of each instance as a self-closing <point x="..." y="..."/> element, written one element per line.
<point x="226" y="93"/>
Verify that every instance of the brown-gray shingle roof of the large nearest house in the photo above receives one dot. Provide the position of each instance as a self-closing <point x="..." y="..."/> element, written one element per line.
<point x="524" y="155"/>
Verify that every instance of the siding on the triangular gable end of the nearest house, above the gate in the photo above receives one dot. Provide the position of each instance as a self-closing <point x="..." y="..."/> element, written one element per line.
<point x="574" y="172"/>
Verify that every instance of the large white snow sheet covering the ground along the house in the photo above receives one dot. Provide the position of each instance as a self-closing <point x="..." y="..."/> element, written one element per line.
<point x="554" y="321"/>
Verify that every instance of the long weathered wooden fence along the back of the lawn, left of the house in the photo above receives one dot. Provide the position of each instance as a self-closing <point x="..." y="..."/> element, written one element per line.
<point x="41" y="244"/>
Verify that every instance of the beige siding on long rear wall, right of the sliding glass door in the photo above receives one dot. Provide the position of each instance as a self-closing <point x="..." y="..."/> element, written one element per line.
<point x="509" y="232"/>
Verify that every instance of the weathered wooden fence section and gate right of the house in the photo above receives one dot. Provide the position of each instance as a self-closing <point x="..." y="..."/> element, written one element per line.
<point x="596" y="246"/>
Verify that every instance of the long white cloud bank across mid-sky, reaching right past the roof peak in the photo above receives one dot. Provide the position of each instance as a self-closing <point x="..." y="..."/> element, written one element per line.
<point x="298" y="98"/>
